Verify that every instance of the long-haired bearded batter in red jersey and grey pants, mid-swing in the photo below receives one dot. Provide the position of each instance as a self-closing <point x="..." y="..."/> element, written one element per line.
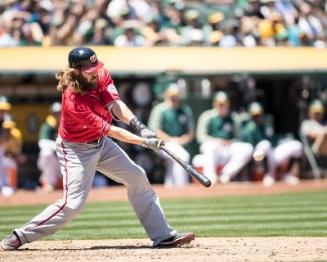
<point x="89" y="103"/>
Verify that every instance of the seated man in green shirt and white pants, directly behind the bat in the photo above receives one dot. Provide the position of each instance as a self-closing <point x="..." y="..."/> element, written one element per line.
<point x="173" y="123"/>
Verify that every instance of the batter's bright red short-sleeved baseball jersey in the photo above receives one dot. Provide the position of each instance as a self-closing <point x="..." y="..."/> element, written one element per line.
<point x="85" y="117"/>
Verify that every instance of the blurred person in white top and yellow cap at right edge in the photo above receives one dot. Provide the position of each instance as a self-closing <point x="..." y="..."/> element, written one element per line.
<point x="315" y="128"/>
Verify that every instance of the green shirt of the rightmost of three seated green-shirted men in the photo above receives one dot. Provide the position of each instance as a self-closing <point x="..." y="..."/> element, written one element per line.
<point x="253" y="133"/>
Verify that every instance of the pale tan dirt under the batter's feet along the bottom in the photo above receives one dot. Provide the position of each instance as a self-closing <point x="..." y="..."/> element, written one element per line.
<point x="202" y="249"/>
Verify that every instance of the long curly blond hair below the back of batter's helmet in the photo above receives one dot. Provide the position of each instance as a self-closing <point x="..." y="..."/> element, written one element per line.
<point x="67" y="78"/>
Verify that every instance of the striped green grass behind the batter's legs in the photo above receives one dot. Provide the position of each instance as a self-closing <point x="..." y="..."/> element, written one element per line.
<point x="294" y="214"/>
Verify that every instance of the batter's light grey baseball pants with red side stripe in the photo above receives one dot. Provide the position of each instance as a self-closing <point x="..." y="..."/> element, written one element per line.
<point x="79" y="162"/>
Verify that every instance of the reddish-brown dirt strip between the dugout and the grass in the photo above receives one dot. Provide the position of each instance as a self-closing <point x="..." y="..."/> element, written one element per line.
<point x="118" y="193"/>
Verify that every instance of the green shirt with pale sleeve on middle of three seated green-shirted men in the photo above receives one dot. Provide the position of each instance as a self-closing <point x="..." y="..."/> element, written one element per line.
<point x="210" y="124"/>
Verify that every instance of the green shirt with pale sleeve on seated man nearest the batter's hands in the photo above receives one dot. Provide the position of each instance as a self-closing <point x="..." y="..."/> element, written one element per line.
<point x="172" y="121"/>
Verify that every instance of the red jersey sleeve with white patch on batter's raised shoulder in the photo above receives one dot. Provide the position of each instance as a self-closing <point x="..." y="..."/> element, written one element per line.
<point x="108" y="91"/>
